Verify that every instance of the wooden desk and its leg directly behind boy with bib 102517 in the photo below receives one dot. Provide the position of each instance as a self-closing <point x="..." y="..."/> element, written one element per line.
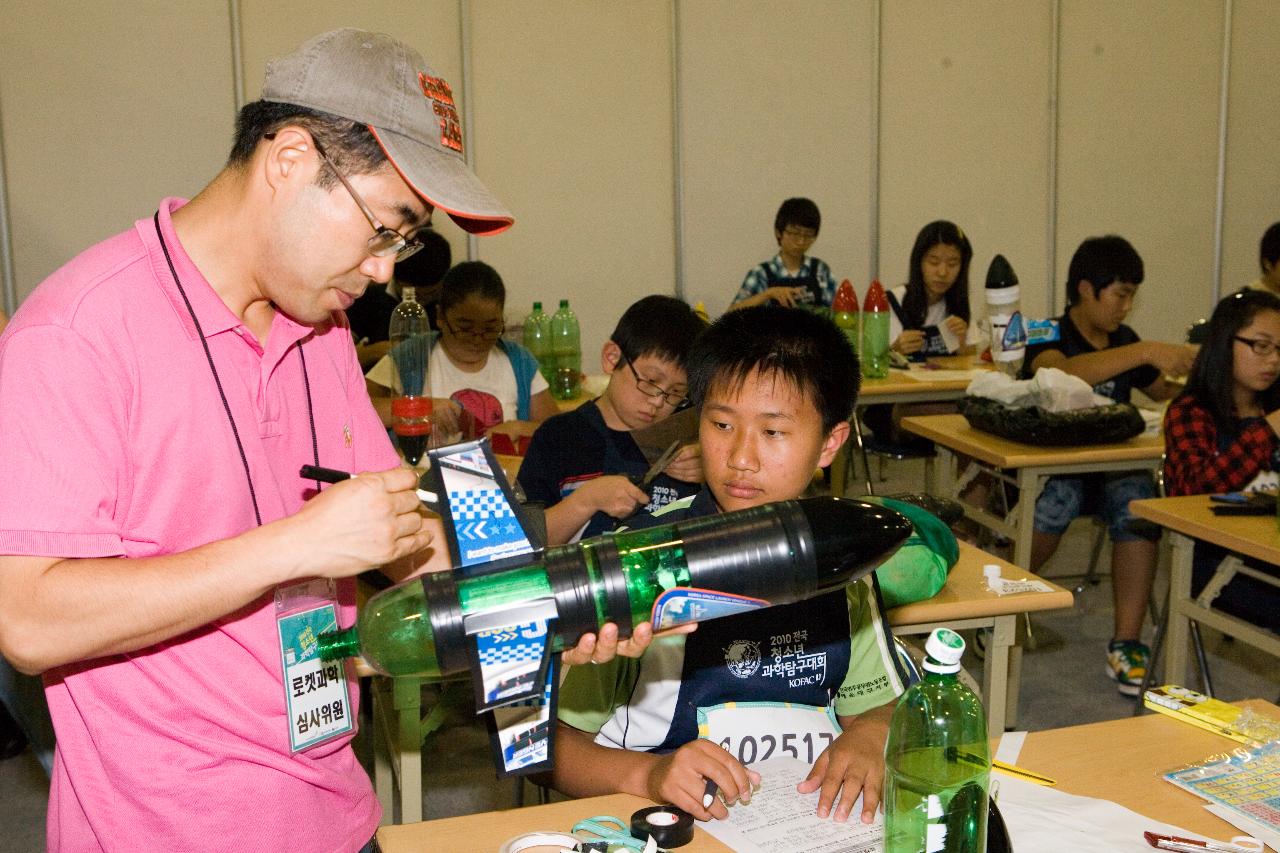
<point x="966" y="603"/>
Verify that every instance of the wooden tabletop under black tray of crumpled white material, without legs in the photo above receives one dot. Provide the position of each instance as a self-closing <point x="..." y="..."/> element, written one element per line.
<point x="956" y="434"/>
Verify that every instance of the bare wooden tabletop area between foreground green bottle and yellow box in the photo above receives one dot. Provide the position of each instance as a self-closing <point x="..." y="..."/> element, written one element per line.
<point x="1123" y="760"/>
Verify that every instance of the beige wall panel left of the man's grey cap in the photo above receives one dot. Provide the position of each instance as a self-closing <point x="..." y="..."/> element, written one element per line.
<point x="108" y="108"/>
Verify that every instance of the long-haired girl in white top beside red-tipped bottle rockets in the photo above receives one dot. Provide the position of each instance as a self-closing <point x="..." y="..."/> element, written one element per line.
<point x="931" y="312"/>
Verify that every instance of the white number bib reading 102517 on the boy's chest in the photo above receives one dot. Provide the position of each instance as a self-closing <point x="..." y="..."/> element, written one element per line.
<point x="755" y="732"/>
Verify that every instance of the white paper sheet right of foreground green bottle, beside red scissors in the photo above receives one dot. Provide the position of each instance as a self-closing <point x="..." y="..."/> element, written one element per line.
<point x="1046" y="819"/>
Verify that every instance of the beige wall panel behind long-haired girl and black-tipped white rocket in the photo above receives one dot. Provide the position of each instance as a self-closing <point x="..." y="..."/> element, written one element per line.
<point x="966" y="92"/>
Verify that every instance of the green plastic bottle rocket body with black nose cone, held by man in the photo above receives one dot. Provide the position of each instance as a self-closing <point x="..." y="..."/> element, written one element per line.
<point x="779" y="554"/>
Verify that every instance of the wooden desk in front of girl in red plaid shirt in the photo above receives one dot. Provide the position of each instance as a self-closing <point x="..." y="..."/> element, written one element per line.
<point x="1190" y="519"/>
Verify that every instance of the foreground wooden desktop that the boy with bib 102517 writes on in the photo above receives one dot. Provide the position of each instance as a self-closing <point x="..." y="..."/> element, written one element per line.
<point x="1118" y="760"/>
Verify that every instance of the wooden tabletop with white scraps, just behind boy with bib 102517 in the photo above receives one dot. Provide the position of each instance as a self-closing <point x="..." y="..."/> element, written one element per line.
<point x="966" y="595"/>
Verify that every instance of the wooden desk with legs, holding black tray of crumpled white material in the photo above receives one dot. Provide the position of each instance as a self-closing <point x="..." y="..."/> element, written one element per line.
<point x="1034" y="466"/>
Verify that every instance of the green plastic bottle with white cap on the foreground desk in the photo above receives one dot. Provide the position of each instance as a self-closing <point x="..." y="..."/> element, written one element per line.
<point x="938" y="761"/>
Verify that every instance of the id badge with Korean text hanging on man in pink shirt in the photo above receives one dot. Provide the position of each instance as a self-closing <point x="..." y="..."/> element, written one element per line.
<point x="317" y="697"/>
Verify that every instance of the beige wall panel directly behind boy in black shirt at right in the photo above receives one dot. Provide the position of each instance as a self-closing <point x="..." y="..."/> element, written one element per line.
<point x="1139" y="147"/>
